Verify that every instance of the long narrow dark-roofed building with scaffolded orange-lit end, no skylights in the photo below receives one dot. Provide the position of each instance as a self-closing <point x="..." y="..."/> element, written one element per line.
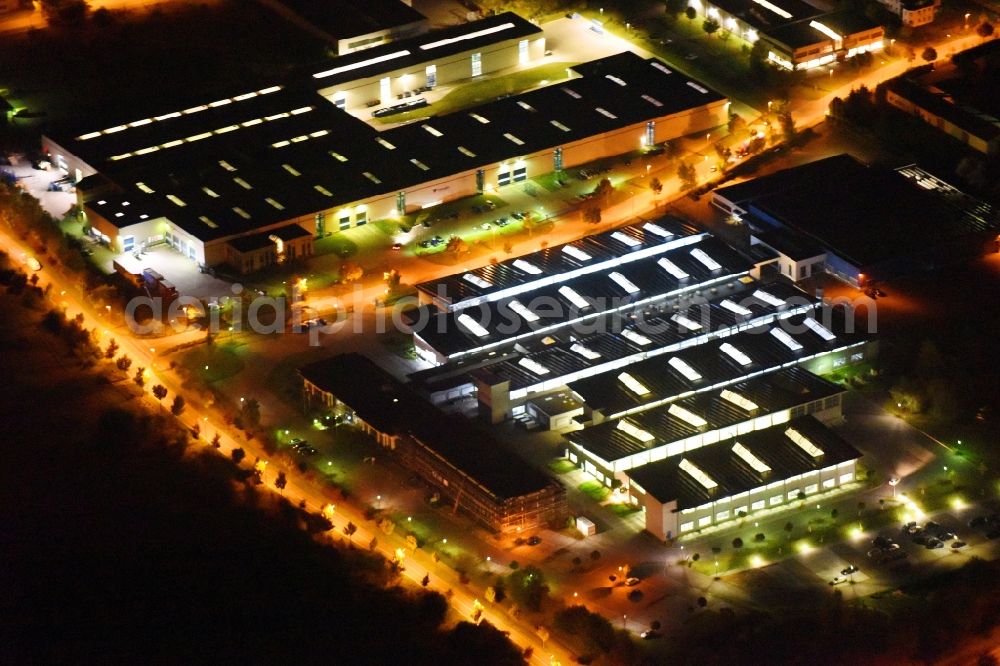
<point x="466" y="467"/>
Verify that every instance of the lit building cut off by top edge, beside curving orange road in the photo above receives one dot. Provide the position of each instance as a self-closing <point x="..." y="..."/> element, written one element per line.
<point x="797" y="35"/>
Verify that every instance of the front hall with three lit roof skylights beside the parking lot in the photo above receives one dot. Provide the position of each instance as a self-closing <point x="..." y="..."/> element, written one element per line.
<point x="743" y="476"/>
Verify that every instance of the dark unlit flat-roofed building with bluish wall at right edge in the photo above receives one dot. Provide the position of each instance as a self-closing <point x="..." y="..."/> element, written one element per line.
<point x="859" y="222"/>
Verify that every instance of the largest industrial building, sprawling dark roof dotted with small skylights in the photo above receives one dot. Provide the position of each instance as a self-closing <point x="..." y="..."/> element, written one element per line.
<point x="252" y="162"/>
